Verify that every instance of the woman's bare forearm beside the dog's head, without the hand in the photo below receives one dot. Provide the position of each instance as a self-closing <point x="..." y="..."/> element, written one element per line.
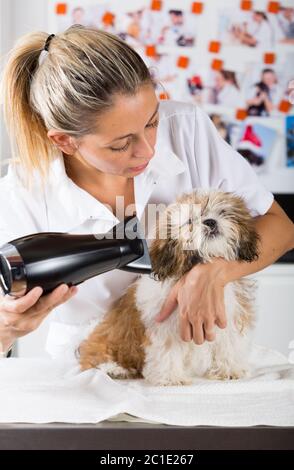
<point x="276" y="238"/>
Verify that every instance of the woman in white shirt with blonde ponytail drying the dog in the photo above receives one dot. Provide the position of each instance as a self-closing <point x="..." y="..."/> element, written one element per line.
<point x="86" y="128"/>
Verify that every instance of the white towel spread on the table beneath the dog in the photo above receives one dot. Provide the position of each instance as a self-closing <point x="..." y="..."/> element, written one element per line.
<point x="44" y="391"/>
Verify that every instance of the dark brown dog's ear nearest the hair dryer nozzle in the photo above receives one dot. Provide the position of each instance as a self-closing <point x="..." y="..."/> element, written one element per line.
<point x="163" y="254"/>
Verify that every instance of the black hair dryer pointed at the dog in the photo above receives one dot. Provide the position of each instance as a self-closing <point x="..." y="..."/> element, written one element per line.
<point x="52" y="258"/>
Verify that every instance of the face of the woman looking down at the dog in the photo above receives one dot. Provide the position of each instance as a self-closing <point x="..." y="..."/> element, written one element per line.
<point x="126" y="135"/>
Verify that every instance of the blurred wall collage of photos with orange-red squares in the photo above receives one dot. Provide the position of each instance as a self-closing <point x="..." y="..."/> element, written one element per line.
<point x="234" y="58"/>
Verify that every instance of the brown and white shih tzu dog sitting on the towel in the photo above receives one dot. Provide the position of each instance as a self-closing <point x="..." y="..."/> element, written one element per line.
<point x="129" y="343"/>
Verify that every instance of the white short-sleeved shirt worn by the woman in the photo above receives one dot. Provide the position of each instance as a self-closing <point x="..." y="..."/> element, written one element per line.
<point x="189" y="154"/>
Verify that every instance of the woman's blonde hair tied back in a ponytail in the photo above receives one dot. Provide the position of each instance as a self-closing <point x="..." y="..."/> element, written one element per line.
<point x="65" y="88"/>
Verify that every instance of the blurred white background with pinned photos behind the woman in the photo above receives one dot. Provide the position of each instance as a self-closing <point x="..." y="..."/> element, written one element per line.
<point x="236" y="60"/>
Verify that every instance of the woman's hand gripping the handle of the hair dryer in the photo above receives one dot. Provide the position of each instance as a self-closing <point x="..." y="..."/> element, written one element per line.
<point x="20" y="316"/>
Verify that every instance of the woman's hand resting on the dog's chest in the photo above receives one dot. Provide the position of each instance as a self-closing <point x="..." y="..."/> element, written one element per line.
<point x="199" y="294"/>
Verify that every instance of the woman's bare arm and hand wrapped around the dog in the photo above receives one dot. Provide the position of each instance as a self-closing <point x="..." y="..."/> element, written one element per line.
<point x="199" y="294"/>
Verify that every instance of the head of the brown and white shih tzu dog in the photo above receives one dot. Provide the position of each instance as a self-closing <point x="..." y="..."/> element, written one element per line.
<point x="199" y="227"/>
